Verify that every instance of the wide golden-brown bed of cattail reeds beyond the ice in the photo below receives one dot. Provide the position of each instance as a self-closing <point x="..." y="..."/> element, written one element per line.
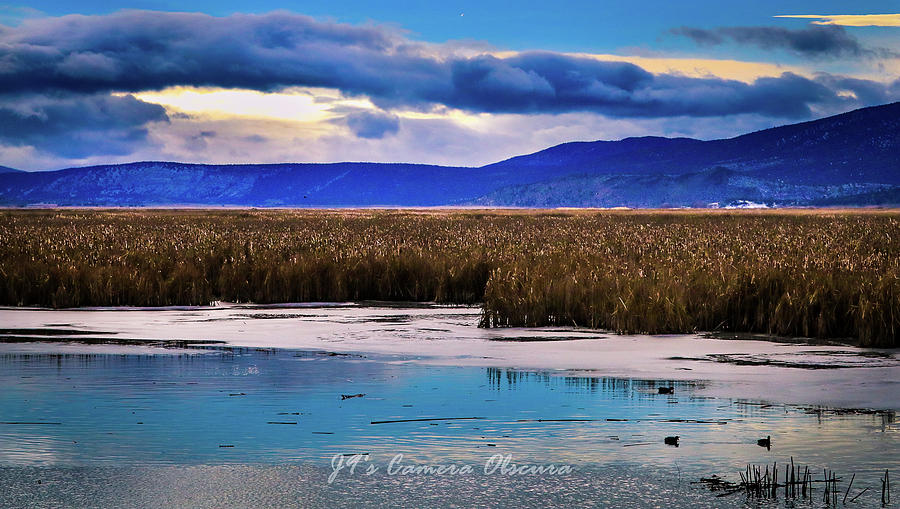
<point x="825" y="274"/>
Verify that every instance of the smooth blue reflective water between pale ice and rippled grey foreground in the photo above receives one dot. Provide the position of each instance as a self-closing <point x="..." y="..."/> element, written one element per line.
<point x="231" y="406"/>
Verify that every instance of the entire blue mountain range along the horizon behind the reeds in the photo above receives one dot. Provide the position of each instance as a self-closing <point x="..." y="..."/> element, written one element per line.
<point x="849" y="159"/>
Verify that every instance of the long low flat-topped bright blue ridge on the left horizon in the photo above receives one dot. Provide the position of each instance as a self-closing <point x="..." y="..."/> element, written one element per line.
<point x="165" y="183"/>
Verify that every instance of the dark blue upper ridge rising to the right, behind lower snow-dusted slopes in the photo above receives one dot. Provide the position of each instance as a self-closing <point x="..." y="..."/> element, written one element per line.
<point x="859" y="146"/>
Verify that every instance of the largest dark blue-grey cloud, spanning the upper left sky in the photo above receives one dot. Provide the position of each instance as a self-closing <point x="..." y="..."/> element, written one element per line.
<point x="136" y="50"/>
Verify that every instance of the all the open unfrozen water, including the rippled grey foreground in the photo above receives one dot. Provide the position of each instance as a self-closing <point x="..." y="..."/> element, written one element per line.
<point x="264" y="417"/>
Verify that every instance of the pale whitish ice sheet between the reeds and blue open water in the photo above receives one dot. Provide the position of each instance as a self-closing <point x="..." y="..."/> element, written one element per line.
<point x="796" y="372"/>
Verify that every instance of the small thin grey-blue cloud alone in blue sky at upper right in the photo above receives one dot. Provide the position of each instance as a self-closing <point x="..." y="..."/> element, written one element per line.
<point x="828" y="41"/>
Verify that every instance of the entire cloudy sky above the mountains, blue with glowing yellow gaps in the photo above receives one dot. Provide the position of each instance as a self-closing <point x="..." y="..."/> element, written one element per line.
<point x="465" y="83"/>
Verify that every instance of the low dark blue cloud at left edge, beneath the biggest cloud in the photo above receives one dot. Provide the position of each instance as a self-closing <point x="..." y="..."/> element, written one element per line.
<point x="77" y="126"/>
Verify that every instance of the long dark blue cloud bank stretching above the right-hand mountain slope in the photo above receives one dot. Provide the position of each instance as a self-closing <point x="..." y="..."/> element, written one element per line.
<point x="542" y="82"/>
